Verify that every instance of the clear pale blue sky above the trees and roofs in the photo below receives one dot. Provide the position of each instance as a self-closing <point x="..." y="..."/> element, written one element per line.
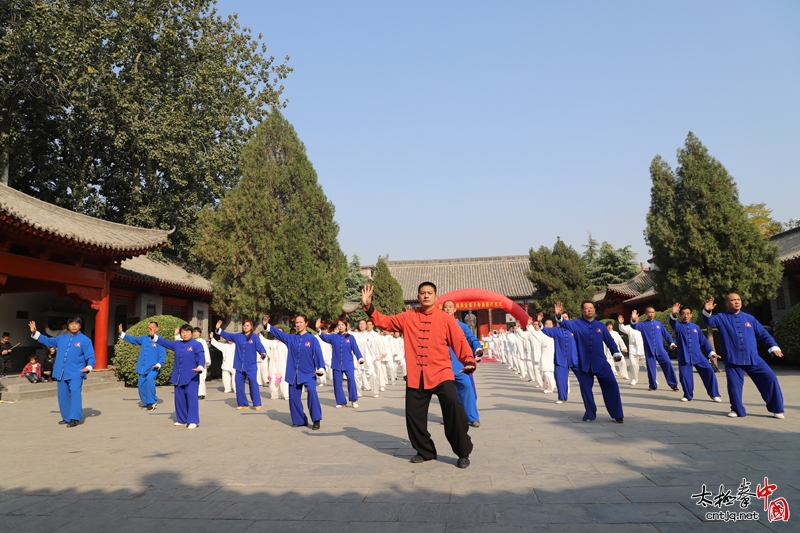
<point x="462" y="129"/>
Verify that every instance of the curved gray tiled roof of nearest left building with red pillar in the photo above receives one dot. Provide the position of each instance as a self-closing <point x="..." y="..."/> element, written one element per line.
<point x="62" y="224"/>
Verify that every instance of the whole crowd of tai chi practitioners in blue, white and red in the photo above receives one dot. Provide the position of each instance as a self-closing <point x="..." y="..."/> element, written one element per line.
<point x="436" y="356"/>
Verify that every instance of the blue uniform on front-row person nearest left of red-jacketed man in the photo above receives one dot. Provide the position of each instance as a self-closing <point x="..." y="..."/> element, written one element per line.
<point x="305" y="358"/>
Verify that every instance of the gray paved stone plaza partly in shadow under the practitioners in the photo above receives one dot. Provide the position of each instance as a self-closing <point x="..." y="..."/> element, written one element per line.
<point x="536" y="466"/>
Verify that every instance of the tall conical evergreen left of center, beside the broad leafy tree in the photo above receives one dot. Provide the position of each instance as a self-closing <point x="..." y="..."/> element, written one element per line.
<point x="271" y="243"/>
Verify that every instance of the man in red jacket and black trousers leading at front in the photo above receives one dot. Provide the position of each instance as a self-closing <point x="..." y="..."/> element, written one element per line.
<point x="428" y="334"/>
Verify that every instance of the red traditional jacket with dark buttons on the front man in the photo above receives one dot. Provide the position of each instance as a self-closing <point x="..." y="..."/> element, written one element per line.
<point x="427" y="337"/>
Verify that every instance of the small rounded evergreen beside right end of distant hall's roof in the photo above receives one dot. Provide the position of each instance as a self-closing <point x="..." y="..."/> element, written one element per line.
<point x="559" y="275"/>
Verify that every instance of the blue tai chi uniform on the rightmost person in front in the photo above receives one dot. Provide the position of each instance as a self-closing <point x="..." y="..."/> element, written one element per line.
<point x="740" y="334"/>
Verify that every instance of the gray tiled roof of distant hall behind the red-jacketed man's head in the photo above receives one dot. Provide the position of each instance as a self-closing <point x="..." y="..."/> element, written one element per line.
<point x="503" y="274"/>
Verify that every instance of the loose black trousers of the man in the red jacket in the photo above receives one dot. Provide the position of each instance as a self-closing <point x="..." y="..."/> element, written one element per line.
<point x="455" y="420"/>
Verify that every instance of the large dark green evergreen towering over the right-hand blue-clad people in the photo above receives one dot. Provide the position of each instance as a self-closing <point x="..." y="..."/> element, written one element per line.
<point x="702" y="241"/>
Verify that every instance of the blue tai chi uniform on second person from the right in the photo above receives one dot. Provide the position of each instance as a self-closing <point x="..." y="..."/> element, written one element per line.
<point x="691" y="344"/>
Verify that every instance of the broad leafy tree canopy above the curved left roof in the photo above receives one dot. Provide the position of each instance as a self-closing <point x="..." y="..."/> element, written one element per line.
<point x="134" y="112"/>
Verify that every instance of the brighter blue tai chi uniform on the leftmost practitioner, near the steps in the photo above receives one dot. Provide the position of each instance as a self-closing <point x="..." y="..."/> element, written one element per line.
<point x="74" y="352"/>
